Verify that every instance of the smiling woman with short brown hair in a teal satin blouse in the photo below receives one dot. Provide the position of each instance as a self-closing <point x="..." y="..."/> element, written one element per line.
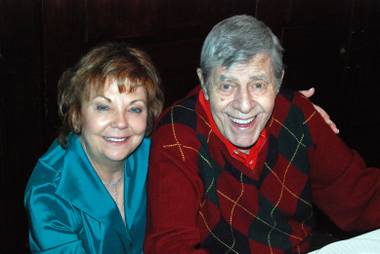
<point x="87" y="193"/>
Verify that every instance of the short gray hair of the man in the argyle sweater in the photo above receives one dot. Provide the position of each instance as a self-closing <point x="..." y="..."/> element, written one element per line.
<point x="237" y="40"/>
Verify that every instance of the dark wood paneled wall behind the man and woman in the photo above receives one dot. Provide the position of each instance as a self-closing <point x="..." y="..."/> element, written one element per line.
<point x="332" y="45"/>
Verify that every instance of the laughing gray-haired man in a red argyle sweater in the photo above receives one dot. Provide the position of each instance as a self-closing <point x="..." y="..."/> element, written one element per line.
<point x="237" y="165"/>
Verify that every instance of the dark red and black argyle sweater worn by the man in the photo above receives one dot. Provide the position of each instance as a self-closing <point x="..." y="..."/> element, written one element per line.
<point x="201" y="200"/>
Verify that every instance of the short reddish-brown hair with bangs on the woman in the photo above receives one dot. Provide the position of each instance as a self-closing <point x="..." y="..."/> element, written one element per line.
<point x="115" y="61"/>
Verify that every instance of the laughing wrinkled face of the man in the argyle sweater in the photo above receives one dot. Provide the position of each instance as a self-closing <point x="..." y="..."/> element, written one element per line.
<point x="242" y="99"/>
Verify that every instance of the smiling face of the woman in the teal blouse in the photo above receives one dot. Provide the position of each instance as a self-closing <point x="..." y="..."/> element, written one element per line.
<point x="113" y="124"/>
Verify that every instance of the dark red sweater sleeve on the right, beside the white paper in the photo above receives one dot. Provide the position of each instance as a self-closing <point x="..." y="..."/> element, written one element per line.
<point x="343" y="186"/>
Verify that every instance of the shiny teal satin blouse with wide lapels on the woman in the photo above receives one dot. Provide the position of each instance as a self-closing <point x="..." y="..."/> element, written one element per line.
<point x="70" y="210"/>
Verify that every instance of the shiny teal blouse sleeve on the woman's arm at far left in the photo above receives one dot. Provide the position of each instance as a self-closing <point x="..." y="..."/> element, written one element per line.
<point x="54" y="225"/>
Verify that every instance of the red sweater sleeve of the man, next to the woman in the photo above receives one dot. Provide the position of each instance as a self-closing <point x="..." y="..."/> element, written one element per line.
<point x="174" y="192"/>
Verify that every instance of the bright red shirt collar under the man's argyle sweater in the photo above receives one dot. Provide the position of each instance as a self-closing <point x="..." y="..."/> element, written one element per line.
<point x="250" y="159"/>
